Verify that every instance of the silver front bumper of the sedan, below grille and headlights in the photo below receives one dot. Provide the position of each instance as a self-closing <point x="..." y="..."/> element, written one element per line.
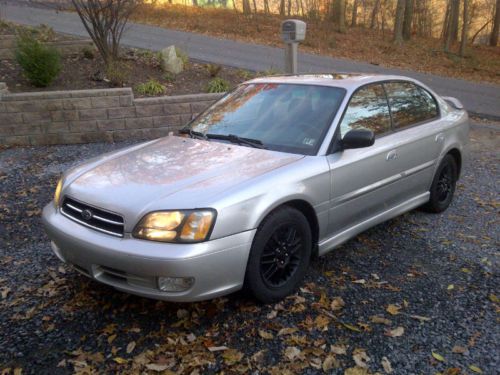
<point x="132" y="265"/>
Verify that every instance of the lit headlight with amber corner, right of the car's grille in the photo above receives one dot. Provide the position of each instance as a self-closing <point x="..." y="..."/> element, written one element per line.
<point x="176" y="226"/>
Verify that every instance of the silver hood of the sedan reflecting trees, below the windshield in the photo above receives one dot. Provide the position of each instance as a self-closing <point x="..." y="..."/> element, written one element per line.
<point x="170" y="173"/>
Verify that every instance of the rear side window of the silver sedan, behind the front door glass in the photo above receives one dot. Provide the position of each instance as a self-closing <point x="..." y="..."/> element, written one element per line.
<point x="410" y="104"/>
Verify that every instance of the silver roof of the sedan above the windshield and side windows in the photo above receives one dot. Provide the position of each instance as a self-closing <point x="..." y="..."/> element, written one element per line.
<point x="345" y="80"/>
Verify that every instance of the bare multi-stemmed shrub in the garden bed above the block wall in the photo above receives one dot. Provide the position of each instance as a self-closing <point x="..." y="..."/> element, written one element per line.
<point x="105" y="21"/>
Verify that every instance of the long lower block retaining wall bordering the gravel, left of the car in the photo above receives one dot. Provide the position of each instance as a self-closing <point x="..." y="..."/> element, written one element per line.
<point x="82" y="116"/>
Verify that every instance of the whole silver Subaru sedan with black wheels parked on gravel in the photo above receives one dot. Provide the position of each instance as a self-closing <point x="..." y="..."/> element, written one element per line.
<point x="279" y="170"/>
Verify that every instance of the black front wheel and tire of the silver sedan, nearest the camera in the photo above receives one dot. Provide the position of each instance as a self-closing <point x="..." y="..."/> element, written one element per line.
<point x="279" y="256"/>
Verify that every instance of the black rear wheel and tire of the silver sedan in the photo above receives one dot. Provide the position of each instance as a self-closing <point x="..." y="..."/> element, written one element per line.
<point x="443" y="186"/>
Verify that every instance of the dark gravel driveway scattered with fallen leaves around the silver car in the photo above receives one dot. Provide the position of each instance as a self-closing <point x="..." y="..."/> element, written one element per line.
<point x="418" y="294"/>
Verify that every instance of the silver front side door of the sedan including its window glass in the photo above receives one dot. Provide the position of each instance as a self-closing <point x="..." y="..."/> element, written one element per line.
<point x="365" y="181"/>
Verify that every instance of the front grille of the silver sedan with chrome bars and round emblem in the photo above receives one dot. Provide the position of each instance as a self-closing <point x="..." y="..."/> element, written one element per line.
<point x="91" y="217"/>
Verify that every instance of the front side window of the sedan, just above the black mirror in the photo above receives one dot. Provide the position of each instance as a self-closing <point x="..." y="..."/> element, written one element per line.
<point x="367" y="109"/>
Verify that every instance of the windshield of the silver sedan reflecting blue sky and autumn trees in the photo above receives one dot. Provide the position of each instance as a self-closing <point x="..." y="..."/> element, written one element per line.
<point x="283" y="117"/>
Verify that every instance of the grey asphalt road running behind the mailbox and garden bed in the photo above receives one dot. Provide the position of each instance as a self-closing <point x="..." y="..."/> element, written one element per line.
<point x="478" y="98"/>
